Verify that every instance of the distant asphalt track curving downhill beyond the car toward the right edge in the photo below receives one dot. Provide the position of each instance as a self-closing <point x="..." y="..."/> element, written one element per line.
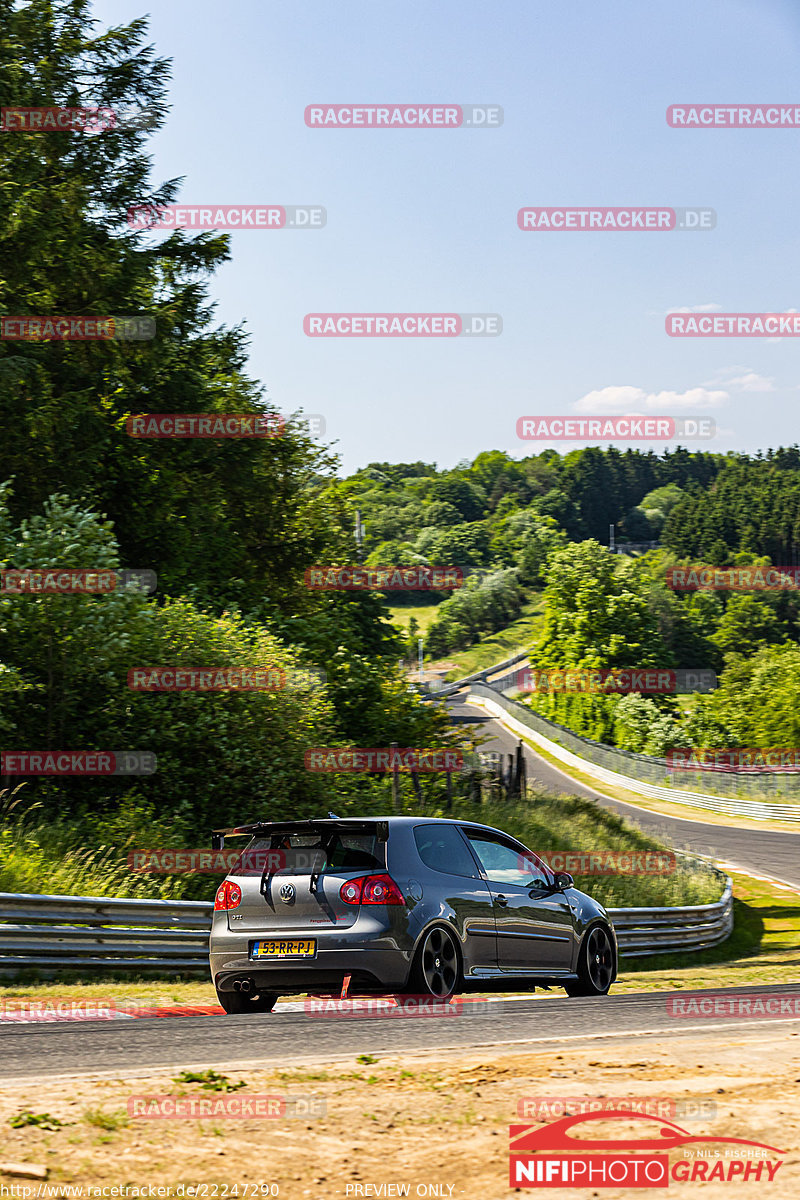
<point x="757" y="851"/>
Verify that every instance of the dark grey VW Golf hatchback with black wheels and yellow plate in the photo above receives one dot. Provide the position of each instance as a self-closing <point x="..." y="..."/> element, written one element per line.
<point x="404" y="905"/>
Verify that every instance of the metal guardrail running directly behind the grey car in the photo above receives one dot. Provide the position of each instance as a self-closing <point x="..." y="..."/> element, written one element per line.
<point x="56" y="934"/>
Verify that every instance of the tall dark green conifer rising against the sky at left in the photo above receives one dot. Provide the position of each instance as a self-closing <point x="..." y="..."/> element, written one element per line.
<point x="222" y="521"/>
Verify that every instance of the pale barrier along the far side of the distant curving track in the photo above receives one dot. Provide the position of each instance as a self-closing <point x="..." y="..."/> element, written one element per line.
<point x="645" y="775"/>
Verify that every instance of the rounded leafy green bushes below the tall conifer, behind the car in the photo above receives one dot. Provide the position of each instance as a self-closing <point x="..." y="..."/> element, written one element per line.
<point x="222" y="757"/>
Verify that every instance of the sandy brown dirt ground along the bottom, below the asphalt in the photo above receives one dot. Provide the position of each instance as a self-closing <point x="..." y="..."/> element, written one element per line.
<point x="437" y="1124"/>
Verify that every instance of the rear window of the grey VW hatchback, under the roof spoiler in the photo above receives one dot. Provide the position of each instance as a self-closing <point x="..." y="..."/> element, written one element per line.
<point x="303" y="854"/>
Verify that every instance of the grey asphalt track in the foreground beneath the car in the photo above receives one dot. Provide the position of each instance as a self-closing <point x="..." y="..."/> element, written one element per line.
<point x="264" y="1040"/>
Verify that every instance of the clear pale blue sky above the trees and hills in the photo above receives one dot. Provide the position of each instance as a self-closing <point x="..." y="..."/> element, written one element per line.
<point x="425" y="221"/>
